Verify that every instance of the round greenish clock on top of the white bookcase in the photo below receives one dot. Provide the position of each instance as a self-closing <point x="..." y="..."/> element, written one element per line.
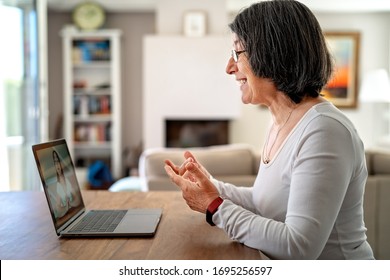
<point x="89" y="15"/>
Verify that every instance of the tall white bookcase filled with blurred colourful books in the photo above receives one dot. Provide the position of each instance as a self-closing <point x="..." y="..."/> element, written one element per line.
<point x="92" y="97"/>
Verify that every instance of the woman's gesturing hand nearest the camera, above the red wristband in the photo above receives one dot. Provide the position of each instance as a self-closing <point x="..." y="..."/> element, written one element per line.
<point x="198" y="191"/>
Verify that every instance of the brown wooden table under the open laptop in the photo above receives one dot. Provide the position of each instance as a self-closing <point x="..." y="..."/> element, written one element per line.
<point x="27" y="232"/>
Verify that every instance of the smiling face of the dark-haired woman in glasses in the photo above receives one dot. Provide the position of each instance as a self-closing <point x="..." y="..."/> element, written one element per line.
<point x="254" y="90"/>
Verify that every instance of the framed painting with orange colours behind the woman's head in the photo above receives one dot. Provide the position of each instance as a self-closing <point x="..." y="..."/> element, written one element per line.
<point x="342" y="89"/>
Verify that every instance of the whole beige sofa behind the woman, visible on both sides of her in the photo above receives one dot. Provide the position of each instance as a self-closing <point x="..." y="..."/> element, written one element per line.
<point x="239" y="163"/>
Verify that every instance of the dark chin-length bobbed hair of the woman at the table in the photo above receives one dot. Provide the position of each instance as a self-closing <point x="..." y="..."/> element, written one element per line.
<point x="284" y="42"/>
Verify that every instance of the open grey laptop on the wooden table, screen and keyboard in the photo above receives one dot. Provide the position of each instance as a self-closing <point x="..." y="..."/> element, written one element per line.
<point x="69" y="214"/>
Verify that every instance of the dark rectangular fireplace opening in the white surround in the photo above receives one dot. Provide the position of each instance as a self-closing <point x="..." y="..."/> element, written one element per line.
<point x="196" y="133"/>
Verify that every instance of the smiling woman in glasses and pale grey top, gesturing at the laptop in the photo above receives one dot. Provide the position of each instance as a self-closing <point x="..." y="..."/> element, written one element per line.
<point x="307" y="200"/>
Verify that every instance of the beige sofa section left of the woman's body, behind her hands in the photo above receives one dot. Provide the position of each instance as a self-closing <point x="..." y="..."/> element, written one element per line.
<point x="235" y="163"/>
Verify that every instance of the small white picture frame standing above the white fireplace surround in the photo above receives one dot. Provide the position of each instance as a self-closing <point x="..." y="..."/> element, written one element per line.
<point x="194" y="24"/>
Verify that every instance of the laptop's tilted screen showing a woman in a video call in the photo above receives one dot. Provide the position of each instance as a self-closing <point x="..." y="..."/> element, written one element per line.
<point x="59" y="180"/>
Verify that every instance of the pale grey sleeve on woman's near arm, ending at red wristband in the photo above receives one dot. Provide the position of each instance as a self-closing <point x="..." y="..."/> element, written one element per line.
<point x="321" y="171"/>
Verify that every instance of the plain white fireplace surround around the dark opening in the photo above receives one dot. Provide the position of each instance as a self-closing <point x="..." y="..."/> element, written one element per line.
<point x="185" y="78"/>
